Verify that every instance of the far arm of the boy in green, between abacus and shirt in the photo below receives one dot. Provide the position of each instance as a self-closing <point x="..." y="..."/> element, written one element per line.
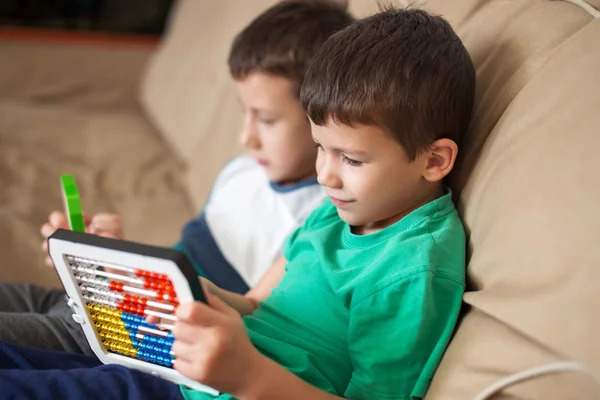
<point x="246" y="304"/>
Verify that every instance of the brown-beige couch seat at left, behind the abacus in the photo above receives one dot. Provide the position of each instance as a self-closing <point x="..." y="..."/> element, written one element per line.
<point x="119" y="162"/>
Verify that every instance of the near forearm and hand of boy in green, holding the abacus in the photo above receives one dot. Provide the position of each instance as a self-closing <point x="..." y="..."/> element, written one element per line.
<point x="212" y="346"/>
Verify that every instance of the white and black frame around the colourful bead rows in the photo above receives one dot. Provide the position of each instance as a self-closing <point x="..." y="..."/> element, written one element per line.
<point x="174" y="264"/>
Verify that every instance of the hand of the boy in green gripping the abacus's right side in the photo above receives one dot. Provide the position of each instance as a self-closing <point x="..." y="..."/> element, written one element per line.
<point x="212" y="346"/>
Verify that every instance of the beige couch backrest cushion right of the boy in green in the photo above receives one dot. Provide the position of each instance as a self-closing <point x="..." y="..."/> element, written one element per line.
<point x="528" y="189"/>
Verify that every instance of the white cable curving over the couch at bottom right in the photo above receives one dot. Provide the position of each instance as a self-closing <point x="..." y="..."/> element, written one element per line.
<point x="545" y="369"/>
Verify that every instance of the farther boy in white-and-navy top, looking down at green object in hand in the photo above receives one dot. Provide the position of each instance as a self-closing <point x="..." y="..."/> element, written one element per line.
<point x="256" y="200"/>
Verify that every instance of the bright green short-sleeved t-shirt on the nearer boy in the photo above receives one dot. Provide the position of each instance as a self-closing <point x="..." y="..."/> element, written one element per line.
<point x="365" y="317"/>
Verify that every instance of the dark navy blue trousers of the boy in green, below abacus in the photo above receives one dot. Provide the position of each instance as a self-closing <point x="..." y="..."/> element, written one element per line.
<point x="27" y="373"/>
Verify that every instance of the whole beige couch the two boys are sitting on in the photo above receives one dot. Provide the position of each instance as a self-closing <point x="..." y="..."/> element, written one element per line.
<point x="145" y="130"/>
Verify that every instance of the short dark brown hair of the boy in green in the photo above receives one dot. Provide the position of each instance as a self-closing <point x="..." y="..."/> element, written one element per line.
<point x="405" y="71"/>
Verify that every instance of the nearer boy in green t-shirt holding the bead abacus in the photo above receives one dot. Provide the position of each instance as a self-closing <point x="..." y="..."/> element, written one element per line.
<point x="365" y="299"/>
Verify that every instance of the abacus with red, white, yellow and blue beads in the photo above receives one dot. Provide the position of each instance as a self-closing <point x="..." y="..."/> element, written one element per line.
<point x="113" y="285"/>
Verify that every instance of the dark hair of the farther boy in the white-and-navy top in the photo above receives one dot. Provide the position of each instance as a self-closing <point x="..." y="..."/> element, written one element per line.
<point x="283" y="39"/>
